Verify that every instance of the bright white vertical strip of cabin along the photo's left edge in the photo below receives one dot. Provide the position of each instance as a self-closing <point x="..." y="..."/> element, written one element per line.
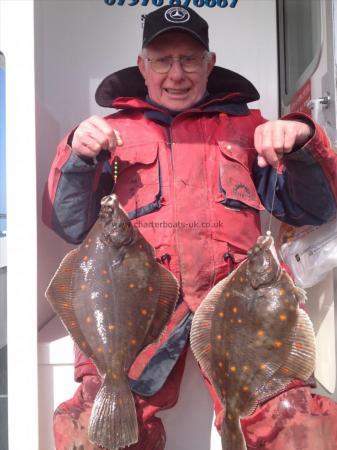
<point x="17" y="44"/>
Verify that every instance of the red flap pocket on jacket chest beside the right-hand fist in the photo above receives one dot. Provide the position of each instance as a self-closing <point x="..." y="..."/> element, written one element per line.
<point x="236" y="186"/>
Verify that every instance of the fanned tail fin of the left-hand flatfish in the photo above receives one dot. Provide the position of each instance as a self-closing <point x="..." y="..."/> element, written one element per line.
<point x="113" y="421"/>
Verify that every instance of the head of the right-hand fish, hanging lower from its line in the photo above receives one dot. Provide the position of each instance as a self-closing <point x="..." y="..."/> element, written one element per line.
<point x="263" y="268"/>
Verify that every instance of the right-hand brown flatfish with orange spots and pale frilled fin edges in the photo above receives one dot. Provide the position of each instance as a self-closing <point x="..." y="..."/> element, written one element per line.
<point x="259" y="339"/>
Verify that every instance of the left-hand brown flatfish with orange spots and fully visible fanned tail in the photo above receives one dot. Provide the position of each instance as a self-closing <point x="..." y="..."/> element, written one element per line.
<point x="114" y="298"/>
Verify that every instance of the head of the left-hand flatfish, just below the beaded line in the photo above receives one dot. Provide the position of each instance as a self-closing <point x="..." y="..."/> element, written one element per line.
<point x="117" y="228"/>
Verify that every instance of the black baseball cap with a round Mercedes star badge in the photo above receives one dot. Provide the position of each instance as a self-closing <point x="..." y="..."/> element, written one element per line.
<point x="169" y="18"/>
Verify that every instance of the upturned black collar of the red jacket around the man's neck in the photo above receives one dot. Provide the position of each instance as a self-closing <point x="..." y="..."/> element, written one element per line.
<point x="126" y="89"/>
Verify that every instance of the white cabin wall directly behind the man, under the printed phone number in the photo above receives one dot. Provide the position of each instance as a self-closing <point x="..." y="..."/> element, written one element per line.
<point x="78" y="43"/>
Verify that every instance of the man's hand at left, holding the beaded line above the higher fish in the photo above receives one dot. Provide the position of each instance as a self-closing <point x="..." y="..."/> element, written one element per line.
<point x="93" y="135"/>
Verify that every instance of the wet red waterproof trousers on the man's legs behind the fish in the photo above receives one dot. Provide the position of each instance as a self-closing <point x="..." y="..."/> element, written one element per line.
<point x="293" y="420"/>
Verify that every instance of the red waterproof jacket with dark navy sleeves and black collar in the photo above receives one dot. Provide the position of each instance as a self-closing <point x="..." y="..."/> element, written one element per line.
<point x="191" y="184"/>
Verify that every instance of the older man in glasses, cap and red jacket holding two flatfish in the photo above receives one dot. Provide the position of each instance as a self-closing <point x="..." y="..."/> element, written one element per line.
<point x="193" y="167"/>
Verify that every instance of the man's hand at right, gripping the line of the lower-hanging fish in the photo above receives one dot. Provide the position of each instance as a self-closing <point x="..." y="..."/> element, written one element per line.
<point x="276" y="137"/>
